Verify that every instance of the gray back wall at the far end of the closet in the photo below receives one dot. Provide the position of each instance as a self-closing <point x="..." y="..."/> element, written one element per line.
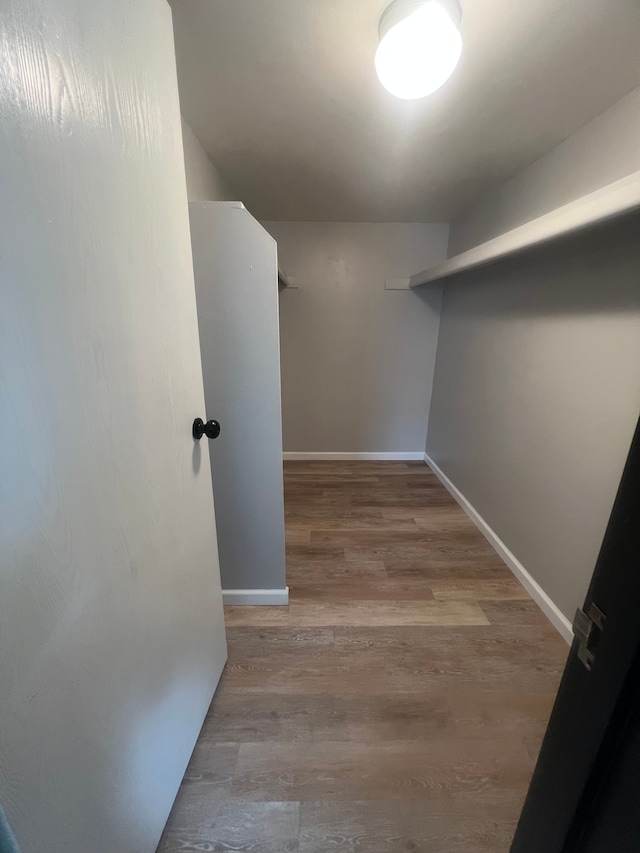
<point x="357" y="360"/>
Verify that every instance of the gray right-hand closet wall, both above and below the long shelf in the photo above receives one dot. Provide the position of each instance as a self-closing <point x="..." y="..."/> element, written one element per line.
<point x="537" y="381"/>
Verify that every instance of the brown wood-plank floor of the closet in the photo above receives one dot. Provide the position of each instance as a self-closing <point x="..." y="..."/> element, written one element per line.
<point x="397" y="704"/>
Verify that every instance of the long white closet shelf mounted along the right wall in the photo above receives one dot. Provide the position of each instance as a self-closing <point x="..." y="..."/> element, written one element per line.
<point x="614" y="200"/>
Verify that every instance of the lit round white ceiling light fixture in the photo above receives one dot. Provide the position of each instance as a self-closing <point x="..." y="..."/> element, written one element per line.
<point x="420" y="45"/>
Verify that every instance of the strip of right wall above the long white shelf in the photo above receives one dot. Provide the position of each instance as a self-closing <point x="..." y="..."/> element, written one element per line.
<point x="606" y="149"/>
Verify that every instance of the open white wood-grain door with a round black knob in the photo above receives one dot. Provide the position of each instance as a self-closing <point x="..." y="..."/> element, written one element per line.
<point x="111" y="627"/>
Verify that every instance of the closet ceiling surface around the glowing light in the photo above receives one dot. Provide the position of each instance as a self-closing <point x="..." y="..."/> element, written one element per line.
<point x="284" y="97"/>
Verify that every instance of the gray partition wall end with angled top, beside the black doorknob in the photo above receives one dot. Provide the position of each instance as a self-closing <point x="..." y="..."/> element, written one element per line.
<point x="236" y="273"/>
